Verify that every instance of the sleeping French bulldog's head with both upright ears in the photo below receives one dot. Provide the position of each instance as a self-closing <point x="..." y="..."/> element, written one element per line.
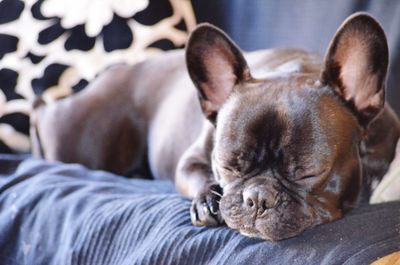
<point x="287" y="149"/>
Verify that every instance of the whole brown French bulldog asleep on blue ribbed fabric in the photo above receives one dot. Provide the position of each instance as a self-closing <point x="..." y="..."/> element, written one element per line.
<point x="270" y="142"/>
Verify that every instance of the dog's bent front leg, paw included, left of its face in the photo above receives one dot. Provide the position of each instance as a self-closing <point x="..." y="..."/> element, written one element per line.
<point x="194" y="178"/>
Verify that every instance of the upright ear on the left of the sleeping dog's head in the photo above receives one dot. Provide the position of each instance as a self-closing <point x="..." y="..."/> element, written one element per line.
<point x="215" y="65"/>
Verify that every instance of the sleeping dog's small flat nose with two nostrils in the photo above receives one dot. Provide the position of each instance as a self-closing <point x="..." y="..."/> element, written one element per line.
<point x="257" y="198"/>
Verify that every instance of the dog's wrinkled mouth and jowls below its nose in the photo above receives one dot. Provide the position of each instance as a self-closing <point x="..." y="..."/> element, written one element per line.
<point x="286" y="219"/>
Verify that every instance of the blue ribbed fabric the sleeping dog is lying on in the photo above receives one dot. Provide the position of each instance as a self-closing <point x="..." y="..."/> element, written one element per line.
<point x="52" y="213"/>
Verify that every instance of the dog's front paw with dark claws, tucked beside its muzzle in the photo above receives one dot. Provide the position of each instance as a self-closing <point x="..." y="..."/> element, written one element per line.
<point x="205" y="207"/>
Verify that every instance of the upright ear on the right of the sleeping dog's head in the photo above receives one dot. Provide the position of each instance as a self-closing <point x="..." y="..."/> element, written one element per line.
<point x="356" y="65"/>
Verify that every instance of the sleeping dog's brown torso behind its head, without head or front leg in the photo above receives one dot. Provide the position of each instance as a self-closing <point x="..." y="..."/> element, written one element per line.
<point x="117" y="119"/>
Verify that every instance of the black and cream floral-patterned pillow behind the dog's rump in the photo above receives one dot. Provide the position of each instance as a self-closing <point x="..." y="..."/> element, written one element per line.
<point x="54" y="48"/>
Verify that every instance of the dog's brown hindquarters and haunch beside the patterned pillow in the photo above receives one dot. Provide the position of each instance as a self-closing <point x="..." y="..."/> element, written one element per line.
<point x="99" y="127"/>
